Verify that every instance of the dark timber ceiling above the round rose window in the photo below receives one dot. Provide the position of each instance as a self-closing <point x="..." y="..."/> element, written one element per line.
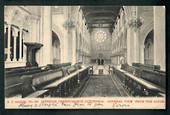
<point x="100" y="16"/>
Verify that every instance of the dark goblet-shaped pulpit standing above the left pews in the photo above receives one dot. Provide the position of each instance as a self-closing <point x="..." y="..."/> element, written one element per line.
<point x="32" y="48"/>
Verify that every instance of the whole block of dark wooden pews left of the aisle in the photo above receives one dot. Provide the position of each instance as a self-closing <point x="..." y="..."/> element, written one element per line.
<point x="53" y="80"/>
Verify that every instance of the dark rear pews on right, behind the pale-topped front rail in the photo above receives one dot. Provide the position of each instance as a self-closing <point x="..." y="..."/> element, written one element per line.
<point x="151" y="73"/>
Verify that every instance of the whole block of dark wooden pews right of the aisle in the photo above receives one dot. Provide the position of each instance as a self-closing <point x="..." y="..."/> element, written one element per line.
<point x="141" y="80"/>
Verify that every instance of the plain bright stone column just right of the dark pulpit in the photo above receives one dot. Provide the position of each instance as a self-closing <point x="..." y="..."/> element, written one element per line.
<point x="47" y="35"/>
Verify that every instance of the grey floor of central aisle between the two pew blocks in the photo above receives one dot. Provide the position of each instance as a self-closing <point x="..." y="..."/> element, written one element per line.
<point x="103" y="86"/>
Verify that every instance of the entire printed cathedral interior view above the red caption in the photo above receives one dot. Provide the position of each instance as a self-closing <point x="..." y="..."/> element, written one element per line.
<point x="84" y="51"/>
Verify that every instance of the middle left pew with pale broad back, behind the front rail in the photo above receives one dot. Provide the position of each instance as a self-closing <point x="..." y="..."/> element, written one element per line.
<point x="36" y="81"/>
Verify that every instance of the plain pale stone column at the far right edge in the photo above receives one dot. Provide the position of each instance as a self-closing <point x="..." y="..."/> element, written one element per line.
<point x="159" y="37"/>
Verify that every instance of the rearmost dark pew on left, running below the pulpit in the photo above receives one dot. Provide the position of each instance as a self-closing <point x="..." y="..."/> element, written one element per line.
<point x="13" y="75"/>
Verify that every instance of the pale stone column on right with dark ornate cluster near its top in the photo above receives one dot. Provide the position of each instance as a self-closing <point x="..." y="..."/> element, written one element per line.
<point x="133" y="37"/>
